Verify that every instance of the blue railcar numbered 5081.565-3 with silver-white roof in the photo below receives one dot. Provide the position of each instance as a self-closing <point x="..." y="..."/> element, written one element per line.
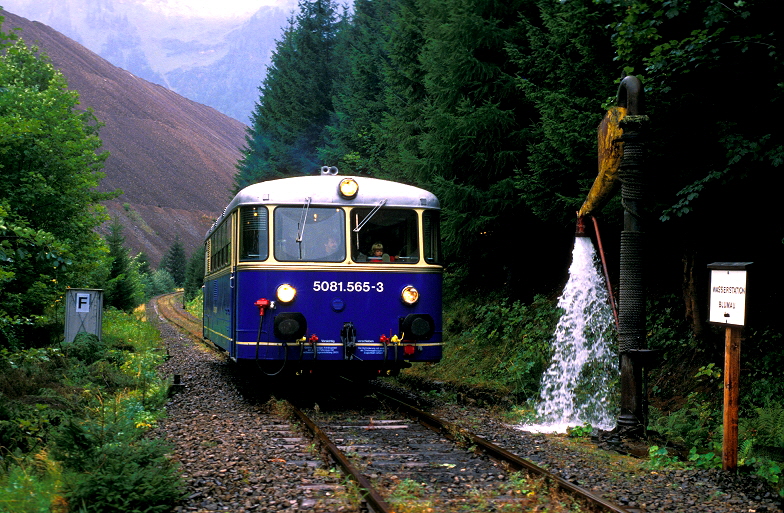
<point x="326" y="274"/>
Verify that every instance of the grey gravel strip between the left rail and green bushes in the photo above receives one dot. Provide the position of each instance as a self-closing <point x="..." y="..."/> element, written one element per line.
<point x="235" y="455"/>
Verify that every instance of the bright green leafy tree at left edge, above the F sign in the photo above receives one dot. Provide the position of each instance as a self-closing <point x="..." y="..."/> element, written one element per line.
<point x="49" y="202"/>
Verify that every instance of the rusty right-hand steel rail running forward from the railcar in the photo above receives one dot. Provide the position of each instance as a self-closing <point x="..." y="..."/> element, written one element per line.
<point x="453" y="431"/>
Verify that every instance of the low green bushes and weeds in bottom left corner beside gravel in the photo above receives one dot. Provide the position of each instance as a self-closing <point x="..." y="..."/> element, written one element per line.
<point x="84" y="436"/>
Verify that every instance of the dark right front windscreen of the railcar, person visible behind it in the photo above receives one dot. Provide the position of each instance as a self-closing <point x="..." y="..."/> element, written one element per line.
<point x="395" y="230"/>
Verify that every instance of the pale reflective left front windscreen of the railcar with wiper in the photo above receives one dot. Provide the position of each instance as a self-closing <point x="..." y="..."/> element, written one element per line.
<point x="310" y="234"/>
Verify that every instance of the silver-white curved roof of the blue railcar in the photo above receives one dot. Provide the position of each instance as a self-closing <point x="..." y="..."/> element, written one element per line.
<point x="323" y="190"/>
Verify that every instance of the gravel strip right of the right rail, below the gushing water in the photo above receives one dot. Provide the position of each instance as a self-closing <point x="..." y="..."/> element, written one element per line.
<point x="624" y="479"/>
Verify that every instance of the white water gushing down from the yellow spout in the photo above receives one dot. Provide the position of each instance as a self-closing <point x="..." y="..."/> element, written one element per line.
<point x="577" y="387"/>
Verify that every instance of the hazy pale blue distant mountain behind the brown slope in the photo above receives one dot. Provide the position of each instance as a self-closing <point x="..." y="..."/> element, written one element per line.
<point x="217" y="61"/>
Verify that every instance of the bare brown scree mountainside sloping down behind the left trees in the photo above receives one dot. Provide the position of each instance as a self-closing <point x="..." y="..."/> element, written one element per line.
<point x="173" y="157"/>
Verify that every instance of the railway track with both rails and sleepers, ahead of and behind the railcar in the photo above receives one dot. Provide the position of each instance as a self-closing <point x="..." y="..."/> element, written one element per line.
<point x="399" y="455"/>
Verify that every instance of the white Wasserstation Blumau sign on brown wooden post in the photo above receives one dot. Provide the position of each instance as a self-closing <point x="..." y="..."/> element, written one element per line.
<point x="728" y="307"/>
